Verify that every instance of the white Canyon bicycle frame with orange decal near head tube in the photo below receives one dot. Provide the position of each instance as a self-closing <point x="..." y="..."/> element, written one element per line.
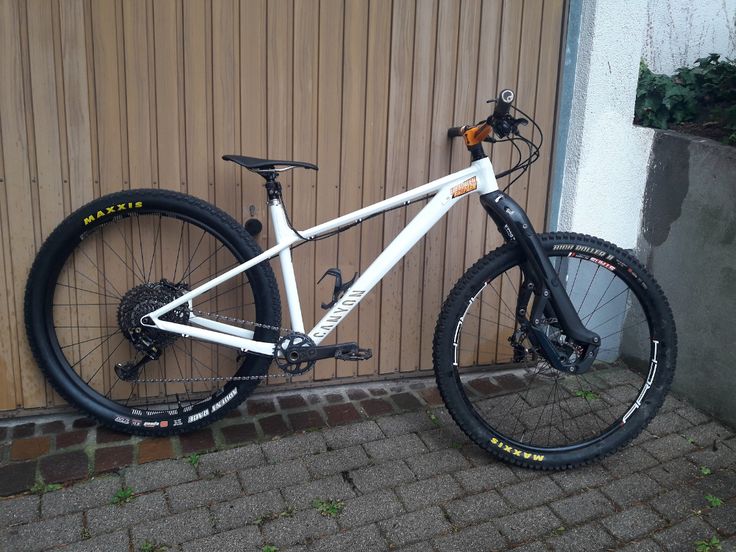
<point x="477" y="179"/>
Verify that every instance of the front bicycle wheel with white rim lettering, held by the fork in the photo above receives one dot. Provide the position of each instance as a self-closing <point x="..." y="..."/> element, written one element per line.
<point x="508" y="398"/>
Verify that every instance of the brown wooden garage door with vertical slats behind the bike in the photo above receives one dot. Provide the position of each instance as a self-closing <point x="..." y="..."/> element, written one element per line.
<point x="99" y="95"/>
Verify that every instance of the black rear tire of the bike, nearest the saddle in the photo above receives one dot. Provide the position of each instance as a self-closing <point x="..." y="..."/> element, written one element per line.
<point x="60" y="246"/>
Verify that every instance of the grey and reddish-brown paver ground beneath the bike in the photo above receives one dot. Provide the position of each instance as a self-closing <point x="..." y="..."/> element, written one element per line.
<point x="406" y="478"/>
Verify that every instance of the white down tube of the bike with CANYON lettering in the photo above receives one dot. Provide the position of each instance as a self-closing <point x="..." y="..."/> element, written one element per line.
<point x="407" y="238"/>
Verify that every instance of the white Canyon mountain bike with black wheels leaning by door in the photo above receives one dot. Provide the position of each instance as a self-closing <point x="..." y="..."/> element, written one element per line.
<point x="157" y="313"/>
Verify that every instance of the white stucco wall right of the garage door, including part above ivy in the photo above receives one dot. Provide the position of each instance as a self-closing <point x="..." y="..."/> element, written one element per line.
<point x="605" y="156"/>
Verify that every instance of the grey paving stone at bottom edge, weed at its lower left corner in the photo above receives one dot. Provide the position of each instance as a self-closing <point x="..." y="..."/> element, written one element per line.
<point x="173" y="530"/>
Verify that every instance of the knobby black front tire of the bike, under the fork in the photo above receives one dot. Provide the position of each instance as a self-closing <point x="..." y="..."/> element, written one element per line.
<point x="469" y="416"/>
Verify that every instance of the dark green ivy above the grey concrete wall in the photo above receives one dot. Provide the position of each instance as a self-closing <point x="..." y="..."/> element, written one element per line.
<point x="705" y="93"/>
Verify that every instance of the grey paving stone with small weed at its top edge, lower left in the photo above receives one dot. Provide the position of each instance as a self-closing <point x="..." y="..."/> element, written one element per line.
<point x="146" y="507"/>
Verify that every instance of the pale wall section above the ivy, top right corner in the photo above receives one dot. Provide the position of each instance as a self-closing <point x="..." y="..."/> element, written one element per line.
<point x="681" y="31"/>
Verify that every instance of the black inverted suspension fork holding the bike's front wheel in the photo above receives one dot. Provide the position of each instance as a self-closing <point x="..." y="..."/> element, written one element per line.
<point x="540" y="278"/>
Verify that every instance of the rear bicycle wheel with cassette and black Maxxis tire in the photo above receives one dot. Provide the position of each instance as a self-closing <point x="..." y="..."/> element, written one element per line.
<point x="117" y="259"/>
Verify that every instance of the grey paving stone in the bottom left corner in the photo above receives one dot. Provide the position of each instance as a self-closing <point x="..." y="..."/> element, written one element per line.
<point x="44" y="534"/>
